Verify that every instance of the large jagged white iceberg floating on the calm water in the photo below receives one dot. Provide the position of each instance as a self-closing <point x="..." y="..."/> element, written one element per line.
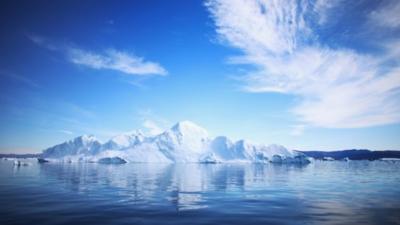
<point x="185" y="142"/>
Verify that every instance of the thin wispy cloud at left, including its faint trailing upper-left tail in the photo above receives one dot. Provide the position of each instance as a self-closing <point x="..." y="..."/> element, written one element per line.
<point x="110" y="59"/>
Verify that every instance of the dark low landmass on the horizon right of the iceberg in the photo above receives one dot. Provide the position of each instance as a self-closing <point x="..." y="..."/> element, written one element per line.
<point x="353" y="154"/>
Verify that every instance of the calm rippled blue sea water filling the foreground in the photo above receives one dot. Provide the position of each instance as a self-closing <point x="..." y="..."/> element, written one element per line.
<point x="356" y="192"/>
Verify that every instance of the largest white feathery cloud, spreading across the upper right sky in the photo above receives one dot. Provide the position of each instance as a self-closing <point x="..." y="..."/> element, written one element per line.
<point x="337" y="88"/>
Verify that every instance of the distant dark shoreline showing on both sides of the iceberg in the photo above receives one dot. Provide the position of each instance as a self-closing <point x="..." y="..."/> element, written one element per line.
<point x="352" y="154"/>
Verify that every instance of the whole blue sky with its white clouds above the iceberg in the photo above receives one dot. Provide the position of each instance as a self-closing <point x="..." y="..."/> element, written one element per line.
<point x="305" y="74"/>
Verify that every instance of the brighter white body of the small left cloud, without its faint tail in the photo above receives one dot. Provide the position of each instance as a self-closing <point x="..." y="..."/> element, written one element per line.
<point x="115" y="60"/>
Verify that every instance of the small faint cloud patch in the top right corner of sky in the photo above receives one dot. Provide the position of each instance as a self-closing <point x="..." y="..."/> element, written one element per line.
<point x="387" y="15"/>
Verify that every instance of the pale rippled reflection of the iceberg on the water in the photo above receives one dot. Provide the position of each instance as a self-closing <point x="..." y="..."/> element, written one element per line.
<point x="182" y="186"/>
